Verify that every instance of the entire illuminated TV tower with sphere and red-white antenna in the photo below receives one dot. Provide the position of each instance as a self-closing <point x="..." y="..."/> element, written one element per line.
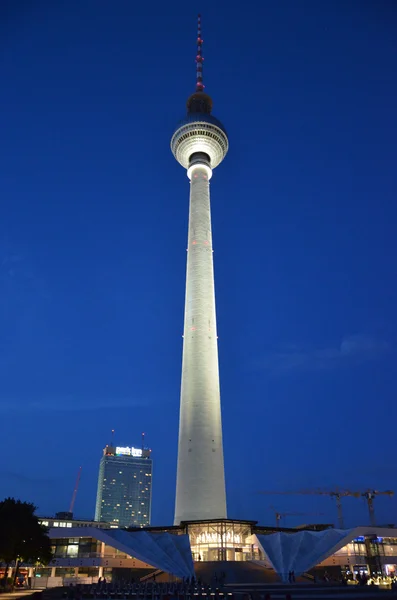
<point x="200" y="144"/>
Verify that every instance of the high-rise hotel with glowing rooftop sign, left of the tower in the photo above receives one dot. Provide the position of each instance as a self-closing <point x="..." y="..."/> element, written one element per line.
<point x="124" y="493"/>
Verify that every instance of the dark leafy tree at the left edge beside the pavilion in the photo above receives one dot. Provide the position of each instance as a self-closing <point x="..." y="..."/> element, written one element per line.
<point x="22" y="538"/>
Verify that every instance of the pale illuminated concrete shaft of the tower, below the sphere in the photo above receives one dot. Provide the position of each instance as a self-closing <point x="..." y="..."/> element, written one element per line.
<point x="200" y="491"/>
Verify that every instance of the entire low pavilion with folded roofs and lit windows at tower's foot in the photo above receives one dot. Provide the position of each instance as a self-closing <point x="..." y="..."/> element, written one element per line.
<point x="86" y="550"/>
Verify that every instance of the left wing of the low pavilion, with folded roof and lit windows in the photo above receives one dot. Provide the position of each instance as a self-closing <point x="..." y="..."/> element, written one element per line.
<point x="84" y="555"/>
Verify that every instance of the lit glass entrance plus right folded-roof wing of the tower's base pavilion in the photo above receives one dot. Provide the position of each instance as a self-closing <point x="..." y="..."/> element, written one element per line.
<point x="228" y="551"/>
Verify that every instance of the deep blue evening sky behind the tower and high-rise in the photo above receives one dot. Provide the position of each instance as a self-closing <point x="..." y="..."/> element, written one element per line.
<point x="93" y="245"/>
